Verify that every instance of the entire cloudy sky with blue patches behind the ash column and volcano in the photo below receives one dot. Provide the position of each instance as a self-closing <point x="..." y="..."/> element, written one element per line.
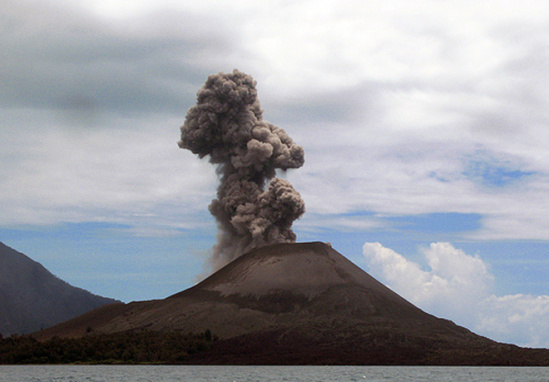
<point x="425" y="126"/>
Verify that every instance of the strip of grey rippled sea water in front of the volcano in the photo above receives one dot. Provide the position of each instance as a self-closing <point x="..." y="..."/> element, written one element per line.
<point x="103" y="373"/>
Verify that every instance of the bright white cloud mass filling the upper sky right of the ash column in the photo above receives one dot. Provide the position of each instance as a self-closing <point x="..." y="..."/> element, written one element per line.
<point x="429" y="92"/>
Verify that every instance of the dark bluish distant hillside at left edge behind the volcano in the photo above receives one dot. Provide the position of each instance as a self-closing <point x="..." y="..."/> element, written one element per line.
<point x="31" y="298"/>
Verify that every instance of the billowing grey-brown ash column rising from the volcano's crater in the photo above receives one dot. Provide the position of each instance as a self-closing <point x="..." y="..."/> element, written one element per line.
<point x="227" y="125"/>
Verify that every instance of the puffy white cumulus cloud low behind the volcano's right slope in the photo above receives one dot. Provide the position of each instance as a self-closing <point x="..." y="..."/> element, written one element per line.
<point x="458" y="286"/>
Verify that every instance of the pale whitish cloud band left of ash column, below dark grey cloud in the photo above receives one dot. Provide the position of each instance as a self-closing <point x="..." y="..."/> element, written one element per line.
<point x="70" y="174"/>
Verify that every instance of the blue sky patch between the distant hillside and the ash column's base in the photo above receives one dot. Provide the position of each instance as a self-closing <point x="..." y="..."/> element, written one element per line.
<point x="105" y="259"/>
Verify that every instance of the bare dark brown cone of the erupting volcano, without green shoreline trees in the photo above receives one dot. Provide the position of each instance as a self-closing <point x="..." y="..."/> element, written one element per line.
<point x="302" y="303"/>
